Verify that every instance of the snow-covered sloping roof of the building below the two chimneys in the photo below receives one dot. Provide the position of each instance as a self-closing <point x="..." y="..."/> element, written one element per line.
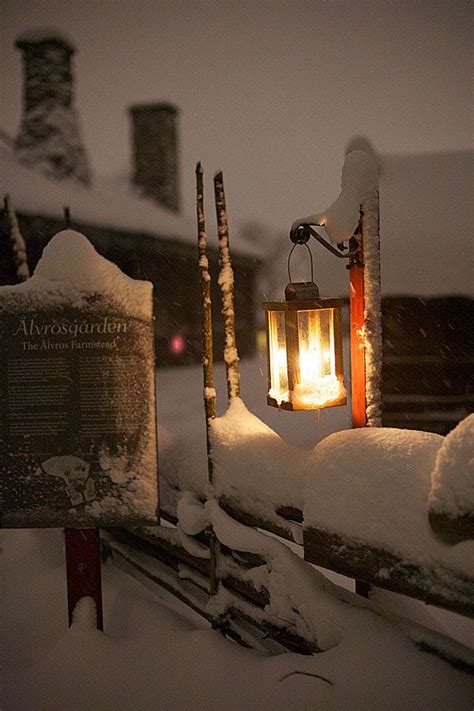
<point x="112" y="203"/>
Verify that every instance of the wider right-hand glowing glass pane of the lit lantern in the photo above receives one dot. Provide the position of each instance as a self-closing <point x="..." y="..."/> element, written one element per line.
<point x="318" y="383"/>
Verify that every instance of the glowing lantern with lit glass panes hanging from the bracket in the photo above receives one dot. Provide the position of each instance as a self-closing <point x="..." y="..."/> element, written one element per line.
<point x="304" y="350"/>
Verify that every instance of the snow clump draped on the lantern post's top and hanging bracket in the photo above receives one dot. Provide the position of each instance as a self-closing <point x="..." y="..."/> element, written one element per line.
<point x="359" y="183"/>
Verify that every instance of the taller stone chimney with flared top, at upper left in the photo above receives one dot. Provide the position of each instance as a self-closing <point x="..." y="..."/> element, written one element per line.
<point x="49" y="137"/>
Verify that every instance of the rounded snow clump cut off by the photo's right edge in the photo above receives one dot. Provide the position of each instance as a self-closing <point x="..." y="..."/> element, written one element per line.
<point x="452" y="491"/>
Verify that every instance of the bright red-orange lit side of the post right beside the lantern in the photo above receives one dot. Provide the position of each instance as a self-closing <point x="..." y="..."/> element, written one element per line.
<point x="356" y="290"/>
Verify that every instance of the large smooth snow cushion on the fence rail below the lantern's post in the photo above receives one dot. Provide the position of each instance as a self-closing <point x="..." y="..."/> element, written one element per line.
<point x="372" y="484"/>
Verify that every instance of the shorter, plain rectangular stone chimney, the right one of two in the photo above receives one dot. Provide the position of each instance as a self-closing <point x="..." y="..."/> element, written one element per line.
<point x="155" y="150"/>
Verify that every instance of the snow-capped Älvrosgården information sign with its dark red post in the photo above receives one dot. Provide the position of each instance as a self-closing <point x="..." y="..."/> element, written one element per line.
<point x="78" y="423"/>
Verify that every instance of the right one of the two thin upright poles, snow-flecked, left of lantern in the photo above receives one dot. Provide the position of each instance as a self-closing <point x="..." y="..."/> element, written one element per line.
<point x="226" y="283"/>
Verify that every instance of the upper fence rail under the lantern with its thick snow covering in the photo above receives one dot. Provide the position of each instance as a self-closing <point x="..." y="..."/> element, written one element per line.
<point x="383" y="537"/>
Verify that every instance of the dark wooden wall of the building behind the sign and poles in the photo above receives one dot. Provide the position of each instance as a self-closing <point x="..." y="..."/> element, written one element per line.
<point x="172" y="266"/>
